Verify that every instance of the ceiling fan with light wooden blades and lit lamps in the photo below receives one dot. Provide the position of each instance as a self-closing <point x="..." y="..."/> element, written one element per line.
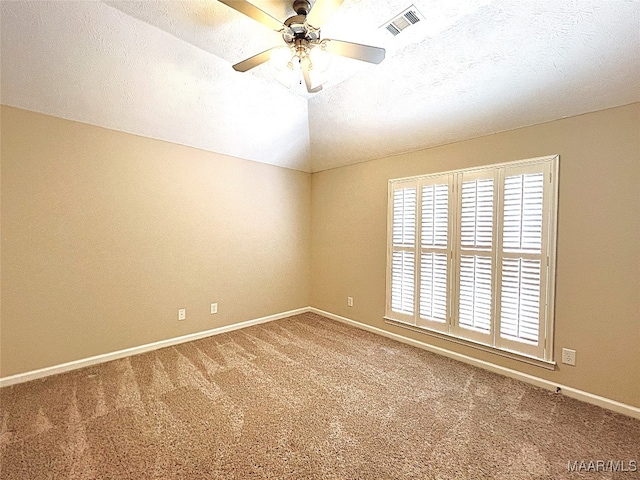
<point x="305" y="50"/>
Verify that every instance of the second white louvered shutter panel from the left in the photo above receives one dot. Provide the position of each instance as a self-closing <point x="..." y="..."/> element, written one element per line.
<point x="434" y="252"/>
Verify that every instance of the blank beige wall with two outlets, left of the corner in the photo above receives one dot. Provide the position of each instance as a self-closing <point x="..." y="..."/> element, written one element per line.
<point x="105" y="235"/>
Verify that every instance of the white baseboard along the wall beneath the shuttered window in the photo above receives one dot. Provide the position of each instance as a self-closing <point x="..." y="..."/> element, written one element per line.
<point x="587" y="397"/>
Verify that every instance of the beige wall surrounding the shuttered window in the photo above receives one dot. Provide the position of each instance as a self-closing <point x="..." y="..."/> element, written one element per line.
<point x="598" y="258"/>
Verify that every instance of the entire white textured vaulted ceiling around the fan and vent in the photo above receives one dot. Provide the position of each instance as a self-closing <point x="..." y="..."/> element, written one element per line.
<point x="162" y="69"/>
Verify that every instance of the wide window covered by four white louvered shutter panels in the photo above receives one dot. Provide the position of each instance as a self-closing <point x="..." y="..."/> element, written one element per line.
<point x="472" y="255"/>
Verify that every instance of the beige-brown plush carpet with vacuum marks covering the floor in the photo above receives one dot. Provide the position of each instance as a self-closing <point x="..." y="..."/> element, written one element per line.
<point x="301" y="398"/>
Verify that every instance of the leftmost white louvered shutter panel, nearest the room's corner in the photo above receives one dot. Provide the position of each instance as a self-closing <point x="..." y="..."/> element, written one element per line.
<point x="403" y="255"/>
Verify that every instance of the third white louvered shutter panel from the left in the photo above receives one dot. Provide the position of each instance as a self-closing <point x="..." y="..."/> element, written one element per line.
<point x="475" y="284"/>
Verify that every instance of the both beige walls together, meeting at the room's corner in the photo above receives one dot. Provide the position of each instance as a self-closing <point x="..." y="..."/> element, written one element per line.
<point x="105" y="235"/>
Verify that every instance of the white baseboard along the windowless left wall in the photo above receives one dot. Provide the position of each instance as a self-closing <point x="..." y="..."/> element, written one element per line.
<point x="107" y="357"/>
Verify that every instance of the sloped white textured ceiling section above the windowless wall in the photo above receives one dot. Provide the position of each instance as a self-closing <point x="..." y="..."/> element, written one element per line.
<point x="90" y="62"/>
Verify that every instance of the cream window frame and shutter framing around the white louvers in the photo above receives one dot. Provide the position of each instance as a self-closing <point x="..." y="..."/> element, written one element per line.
<point x="493" y="341"/>
